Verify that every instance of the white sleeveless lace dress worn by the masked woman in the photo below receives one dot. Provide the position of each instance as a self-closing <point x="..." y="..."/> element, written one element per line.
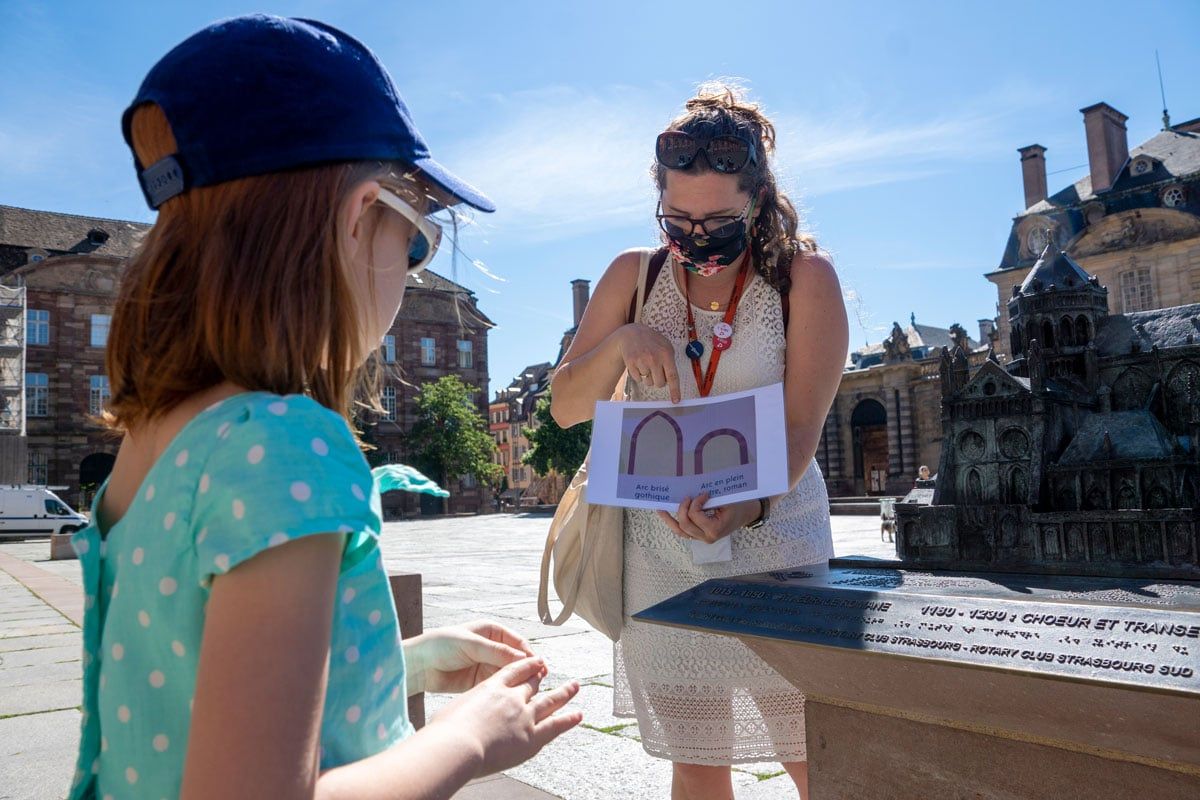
<point x="703" y="699"/>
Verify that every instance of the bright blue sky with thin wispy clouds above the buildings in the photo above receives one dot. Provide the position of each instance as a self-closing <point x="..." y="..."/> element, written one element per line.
<point x="899" y="124"/>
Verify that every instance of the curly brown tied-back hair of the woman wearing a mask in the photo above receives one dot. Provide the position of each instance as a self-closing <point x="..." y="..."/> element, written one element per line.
<point x="722" y="110"/>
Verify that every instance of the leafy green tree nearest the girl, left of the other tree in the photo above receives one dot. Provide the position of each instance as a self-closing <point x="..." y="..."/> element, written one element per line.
<point x="451" y="437"/>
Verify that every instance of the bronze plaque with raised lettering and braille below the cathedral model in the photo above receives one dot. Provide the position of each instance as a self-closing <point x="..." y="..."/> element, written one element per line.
<point x="1121" y="631"/>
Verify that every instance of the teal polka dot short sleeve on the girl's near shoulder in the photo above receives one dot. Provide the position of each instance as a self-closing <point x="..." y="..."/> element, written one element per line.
<point x="283" y="468"/>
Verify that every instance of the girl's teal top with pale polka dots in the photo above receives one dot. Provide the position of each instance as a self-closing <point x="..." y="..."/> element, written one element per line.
<point x="250" y="473"/>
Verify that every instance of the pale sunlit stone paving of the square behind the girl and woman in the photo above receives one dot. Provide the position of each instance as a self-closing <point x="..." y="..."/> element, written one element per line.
<point x="472" y="568"/>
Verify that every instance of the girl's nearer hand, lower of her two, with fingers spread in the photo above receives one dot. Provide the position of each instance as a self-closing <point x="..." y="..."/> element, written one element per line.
<point x="507" y="719"/>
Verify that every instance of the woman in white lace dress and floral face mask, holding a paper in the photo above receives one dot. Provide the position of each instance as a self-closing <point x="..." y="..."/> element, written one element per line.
<point x="745" y="300"/>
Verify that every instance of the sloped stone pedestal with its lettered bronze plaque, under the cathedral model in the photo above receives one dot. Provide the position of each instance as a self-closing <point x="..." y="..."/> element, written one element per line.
<point x="989" y="688"/>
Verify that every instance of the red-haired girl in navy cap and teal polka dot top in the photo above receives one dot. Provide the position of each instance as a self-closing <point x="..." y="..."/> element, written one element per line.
<point x="241" y="640"/>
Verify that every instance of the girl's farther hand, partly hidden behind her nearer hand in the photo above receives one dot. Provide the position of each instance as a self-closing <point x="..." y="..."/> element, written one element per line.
<point x="459" y="659"/>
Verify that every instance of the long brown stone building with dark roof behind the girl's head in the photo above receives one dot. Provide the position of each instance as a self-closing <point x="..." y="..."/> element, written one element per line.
<point x="70" y="268"/>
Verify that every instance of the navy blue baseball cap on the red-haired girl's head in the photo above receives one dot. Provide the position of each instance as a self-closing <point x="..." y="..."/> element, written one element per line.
<point x="261" y="94"/>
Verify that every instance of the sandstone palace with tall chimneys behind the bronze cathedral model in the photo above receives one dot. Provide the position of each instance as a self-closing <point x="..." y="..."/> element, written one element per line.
<point x="1132" y="222"/>
